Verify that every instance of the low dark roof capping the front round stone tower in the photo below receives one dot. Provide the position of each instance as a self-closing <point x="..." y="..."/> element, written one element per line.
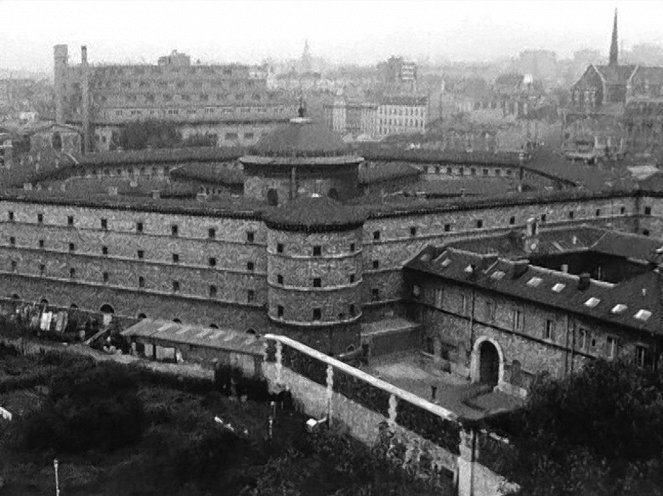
<point x="315" y="214"/>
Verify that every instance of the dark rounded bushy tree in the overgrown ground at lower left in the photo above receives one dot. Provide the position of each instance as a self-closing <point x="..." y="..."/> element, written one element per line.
<point x="88" y="406"/>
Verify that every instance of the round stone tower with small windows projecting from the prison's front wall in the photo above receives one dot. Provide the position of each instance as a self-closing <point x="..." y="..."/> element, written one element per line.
<point x="314" y="272"/>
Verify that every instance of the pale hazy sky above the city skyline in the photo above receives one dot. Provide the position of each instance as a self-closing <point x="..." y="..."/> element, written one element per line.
<point x="363" y="31"/>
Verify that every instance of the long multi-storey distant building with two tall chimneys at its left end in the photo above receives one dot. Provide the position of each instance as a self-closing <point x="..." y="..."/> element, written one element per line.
<point x="231" y="102"/>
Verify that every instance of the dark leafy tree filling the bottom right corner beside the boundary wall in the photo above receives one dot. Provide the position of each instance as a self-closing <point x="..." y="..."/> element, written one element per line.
<point x="597" y="432"/>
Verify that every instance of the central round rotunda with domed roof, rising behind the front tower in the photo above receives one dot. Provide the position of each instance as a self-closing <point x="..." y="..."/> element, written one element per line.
<point x="301" y="159"/>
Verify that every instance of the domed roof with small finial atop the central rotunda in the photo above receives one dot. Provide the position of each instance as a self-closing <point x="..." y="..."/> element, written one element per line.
<point x="301" y="137"/>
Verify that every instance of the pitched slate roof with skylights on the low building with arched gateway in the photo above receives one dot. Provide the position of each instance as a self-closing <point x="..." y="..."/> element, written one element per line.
<point x="613" y="303"/>
